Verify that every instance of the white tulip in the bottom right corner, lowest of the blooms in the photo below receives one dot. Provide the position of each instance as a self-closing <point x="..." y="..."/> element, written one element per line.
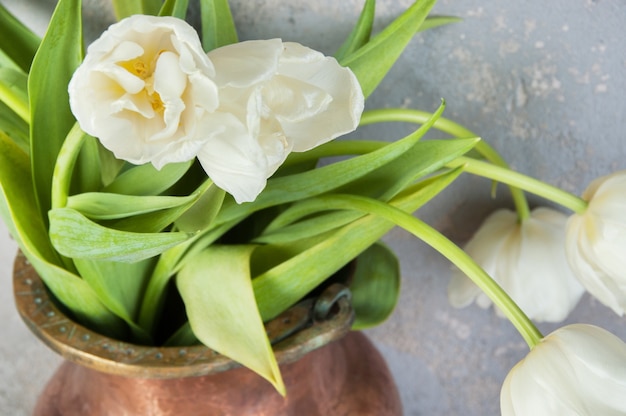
<point x="576" y="370"/>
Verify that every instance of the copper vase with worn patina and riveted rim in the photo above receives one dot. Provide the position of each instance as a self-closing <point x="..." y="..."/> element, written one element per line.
<point x="328" y="370"/>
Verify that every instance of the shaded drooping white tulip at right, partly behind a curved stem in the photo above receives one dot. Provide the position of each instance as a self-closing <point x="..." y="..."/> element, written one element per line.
<point x="528" y="261"/>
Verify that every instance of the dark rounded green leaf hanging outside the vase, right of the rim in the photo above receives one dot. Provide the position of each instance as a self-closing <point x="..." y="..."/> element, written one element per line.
<point x="375" y="286"/>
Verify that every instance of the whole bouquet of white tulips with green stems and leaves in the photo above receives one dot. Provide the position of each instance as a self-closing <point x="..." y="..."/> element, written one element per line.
<point x="170" y="162"/>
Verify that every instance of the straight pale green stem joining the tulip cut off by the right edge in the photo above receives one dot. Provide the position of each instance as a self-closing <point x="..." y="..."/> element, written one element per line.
<point x="521" y="181"/>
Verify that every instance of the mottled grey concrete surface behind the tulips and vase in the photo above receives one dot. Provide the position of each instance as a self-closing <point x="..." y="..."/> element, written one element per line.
<point x="543" y="81"/>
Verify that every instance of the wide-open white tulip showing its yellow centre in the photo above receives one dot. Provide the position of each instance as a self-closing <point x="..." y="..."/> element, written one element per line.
<point x="146" y="90"/>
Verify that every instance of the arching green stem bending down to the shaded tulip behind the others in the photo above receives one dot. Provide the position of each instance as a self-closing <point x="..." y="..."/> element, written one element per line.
<point x="456" y="130"/>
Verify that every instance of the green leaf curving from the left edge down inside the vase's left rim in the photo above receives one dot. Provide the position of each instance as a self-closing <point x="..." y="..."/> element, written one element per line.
<point x="19" y="212"/>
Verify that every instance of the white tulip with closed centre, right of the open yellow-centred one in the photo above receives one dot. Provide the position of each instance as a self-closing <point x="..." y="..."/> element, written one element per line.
<point x="276" y="98"/>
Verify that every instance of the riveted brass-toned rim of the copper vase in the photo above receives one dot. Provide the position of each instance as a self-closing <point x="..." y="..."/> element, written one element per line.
<point x="81" y="345"/>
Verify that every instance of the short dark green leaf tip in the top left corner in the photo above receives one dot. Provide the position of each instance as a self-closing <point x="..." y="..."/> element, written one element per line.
<point x="16" y="40"/>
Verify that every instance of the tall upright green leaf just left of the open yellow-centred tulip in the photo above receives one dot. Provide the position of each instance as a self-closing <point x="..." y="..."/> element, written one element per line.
<point x="51" y="119"/>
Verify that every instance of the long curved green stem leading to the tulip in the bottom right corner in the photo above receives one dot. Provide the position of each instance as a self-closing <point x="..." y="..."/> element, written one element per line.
<point x="448" y="249"/>
